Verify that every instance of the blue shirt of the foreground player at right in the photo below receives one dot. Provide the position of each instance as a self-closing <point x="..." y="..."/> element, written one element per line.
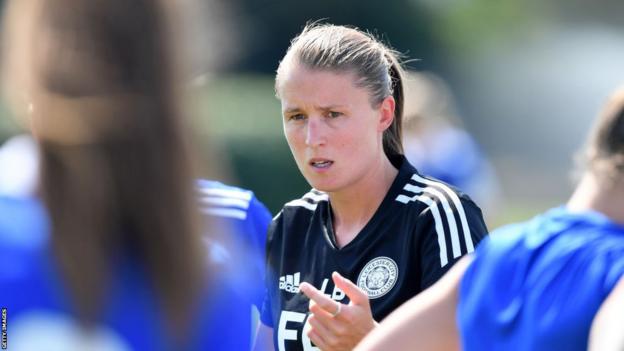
<point x="538" y="285"/>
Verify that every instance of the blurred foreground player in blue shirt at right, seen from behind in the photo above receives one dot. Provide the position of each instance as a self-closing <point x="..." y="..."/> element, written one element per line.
<point x="536" y="285"/>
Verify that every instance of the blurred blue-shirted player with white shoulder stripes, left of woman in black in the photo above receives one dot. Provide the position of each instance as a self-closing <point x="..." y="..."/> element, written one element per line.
<point x="238" y="250"/>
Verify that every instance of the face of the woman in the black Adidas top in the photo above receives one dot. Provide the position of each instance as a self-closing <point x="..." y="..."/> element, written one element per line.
<point x="333" y="130"/>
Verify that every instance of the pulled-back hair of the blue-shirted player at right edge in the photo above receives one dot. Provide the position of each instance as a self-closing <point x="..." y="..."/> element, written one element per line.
<point x="605" y="150"/>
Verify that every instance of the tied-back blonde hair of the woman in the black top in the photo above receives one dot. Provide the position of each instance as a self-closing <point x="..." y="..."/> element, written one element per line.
<point x="343" y="49"/>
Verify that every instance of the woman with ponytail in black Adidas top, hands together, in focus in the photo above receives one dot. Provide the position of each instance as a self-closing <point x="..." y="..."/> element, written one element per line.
<point x="372" y="228"/>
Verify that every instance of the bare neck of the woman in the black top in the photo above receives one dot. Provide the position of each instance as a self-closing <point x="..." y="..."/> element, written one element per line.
<point x="354" y="207"/>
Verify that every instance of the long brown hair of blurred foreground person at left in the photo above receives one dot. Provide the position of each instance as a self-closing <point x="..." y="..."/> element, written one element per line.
<point x="116" y="174"/>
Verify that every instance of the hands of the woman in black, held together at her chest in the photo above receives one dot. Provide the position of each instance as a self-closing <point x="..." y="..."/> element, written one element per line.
<point x="337" y="326"/>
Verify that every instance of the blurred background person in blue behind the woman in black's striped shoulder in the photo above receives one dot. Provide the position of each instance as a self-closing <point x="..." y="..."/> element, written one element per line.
<point x="436" y="143"/>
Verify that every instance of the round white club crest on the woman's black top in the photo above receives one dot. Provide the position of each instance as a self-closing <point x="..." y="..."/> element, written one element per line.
<point x="378" y="277"/>
